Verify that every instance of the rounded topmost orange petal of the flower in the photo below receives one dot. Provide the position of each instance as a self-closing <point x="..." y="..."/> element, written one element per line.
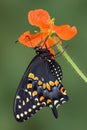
<point x="39" y="18"/>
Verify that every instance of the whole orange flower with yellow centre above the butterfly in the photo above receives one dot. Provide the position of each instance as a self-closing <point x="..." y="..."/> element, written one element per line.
<point x="41" y="19"/>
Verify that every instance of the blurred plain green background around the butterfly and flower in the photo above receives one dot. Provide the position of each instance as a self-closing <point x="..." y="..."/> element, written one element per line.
<point x="14" y="58"/>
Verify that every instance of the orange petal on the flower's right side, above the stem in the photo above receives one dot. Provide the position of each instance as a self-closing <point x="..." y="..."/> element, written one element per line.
<point x="65" y="32"/>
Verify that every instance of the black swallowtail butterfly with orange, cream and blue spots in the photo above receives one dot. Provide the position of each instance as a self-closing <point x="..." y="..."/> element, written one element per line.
<point x="40" y="87"/>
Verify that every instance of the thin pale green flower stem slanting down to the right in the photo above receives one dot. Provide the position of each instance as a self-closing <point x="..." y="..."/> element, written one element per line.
<point x="68" y="58"/>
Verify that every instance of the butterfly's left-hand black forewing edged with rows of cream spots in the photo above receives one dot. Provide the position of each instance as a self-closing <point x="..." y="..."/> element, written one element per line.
<point x="27" y="101"/>
